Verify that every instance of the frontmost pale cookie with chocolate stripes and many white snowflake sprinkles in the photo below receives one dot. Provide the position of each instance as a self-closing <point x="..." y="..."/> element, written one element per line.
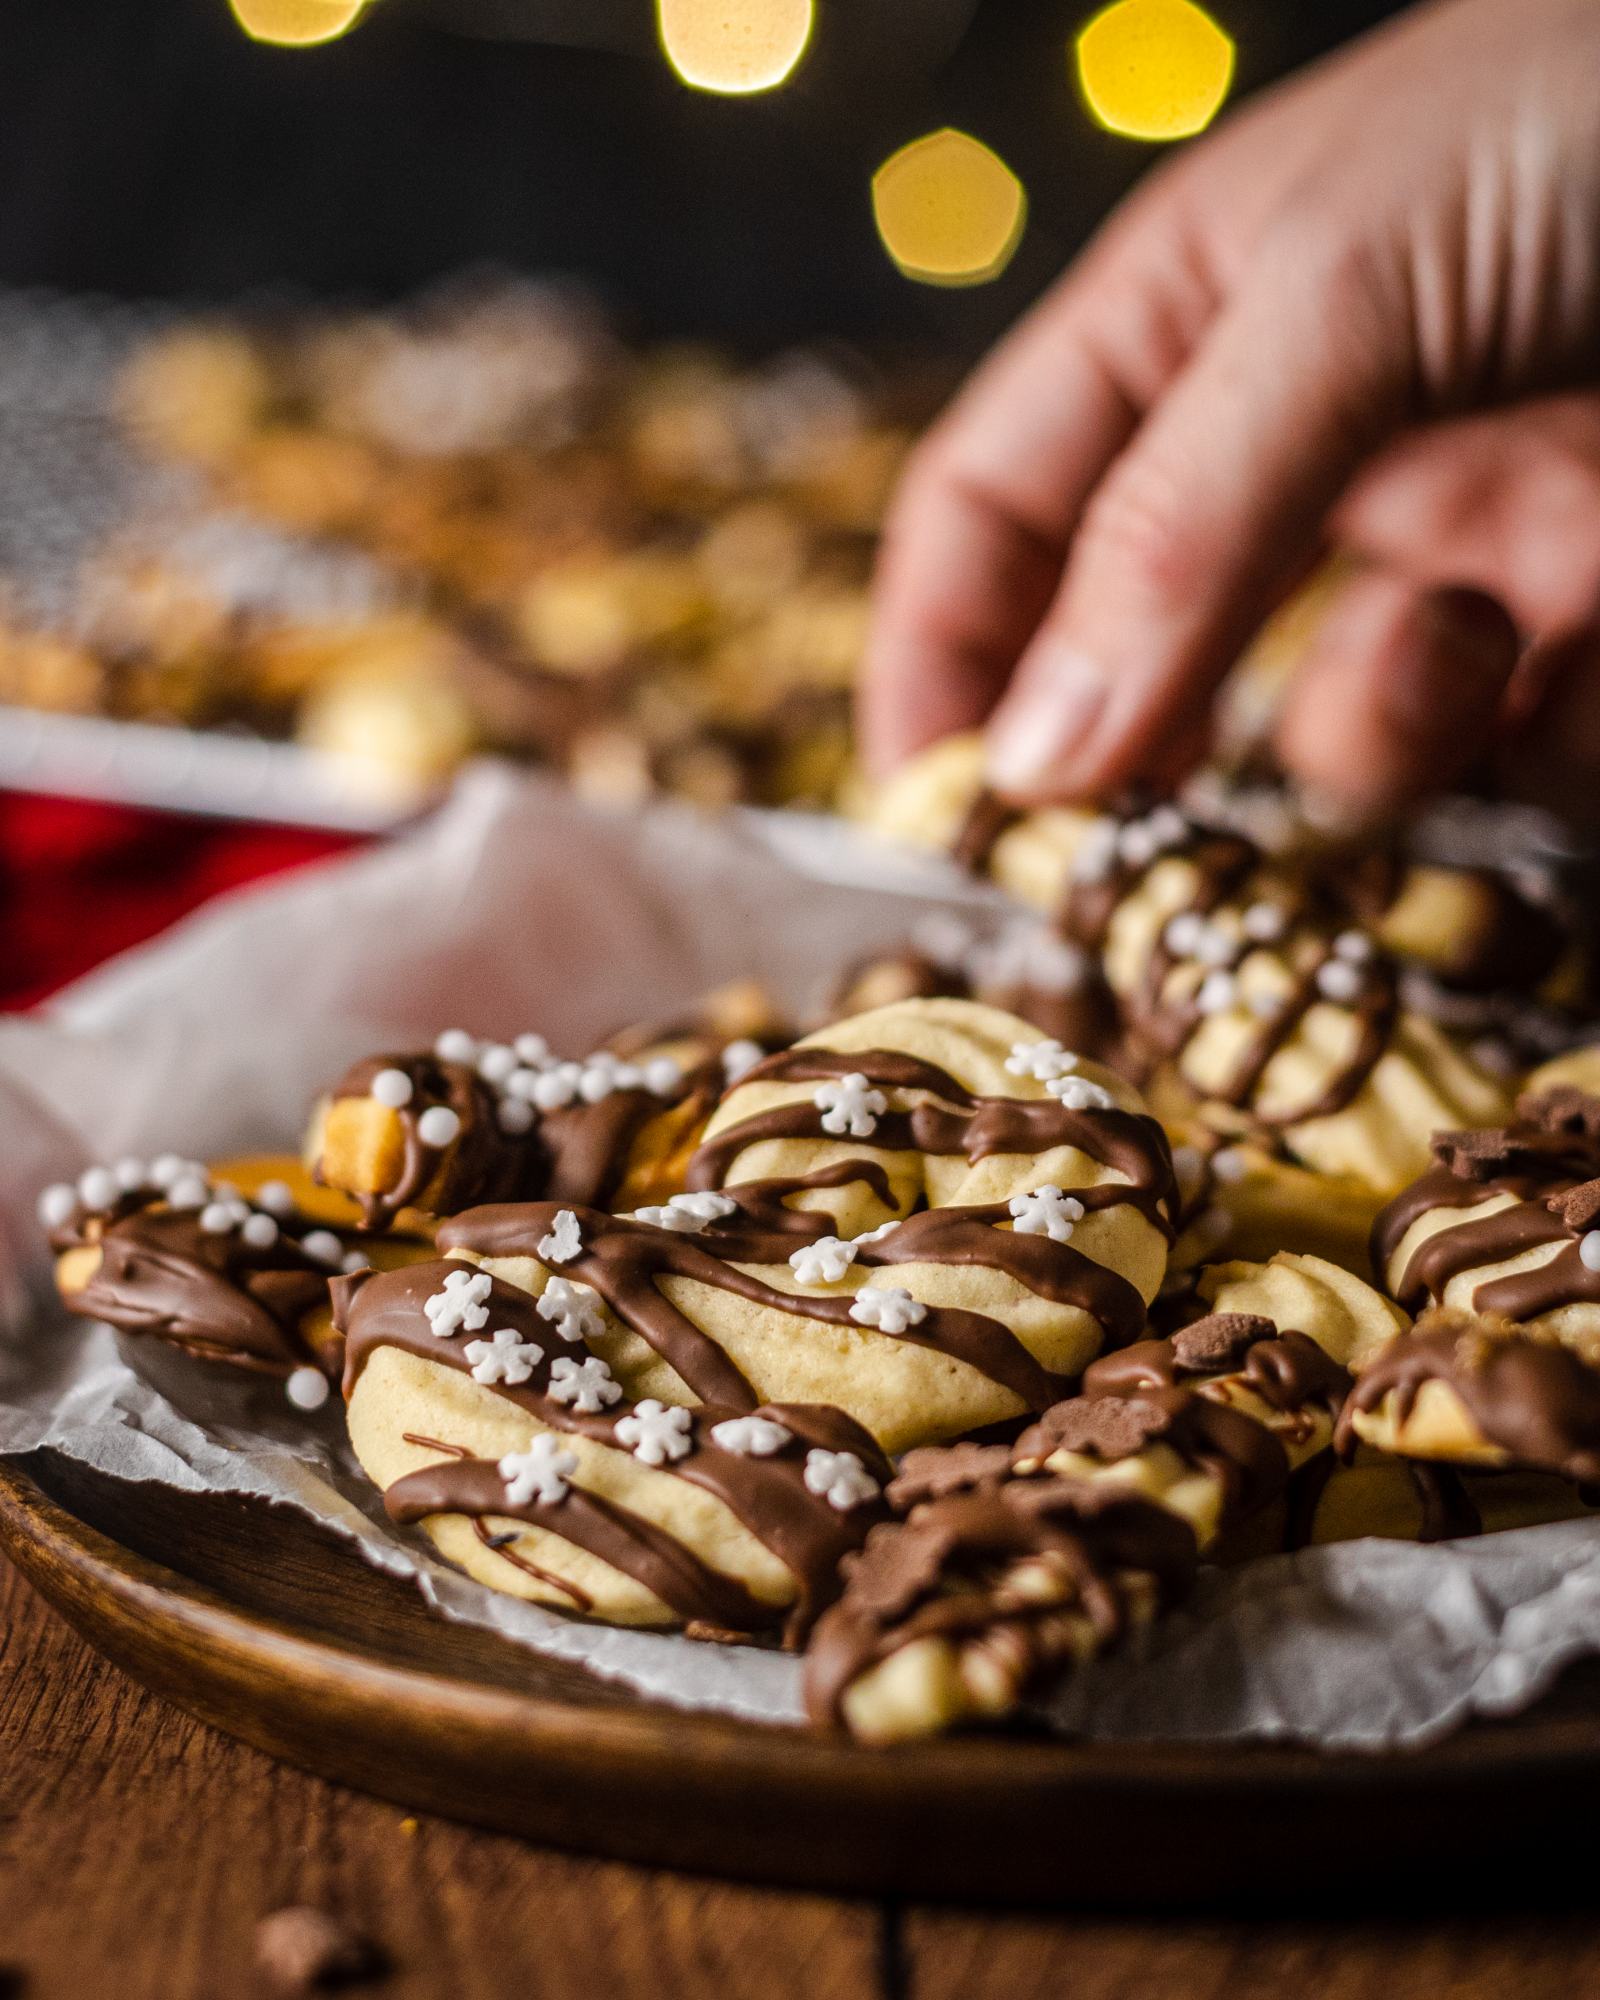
<point x="531" y="1467"/>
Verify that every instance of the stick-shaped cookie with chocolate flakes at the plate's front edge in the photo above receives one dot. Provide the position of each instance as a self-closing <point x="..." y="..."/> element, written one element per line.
<point x="1017" y="1561"/>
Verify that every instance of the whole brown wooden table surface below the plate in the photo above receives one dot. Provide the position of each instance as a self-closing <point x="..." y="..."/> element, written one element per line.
<point x="139" y="1853"/>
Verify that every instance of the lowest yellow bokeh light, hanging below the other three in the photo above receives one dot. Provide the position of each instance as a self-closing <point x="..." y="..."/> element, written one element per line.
<point x="949" y="209"/>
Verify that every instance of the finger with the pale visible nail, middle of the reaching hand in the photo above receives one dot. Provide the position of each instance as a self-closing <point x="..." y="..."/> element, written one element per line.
<point x="1197" y="527"/>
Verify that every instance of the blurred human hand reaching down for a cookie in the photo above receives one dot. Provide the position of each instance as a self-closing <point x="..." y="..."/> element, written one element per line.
<point x="1329" y="321"/>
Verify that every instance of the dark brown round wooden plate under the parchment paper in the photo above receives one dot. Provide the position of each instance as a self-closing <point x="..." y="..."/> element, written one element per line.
<point x="273" y="1631"/>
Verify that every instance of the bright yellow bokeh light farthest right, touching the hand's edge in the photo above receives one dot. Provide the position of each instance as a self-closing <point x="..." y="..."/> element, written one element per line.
<point x="1155" y="69"/>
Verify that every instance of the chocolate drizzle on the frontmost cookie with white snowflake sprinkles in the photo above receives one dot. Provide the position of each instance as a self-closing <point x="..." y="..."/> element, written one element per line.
<point x="767" y="1495"/>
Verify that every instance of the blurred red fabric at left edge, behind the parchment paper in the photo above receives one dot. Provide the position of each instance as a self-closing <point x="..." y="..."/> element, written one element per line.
<point x="81" y="883"/>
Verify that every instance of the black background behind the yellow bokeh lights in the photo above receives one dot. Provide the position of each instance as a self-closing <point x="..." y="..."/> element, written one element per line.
<point x="149" y="149"/>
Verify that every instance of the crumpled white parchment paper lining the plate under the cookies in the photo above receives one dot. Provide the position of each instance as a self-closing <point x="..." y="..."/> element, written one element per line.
<point x="519" y="909"/>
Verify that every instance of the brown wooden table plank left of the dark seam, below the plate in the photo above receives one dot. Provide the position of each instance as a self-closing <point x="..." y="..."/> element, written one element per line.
<point x="145" y="1845"/>
